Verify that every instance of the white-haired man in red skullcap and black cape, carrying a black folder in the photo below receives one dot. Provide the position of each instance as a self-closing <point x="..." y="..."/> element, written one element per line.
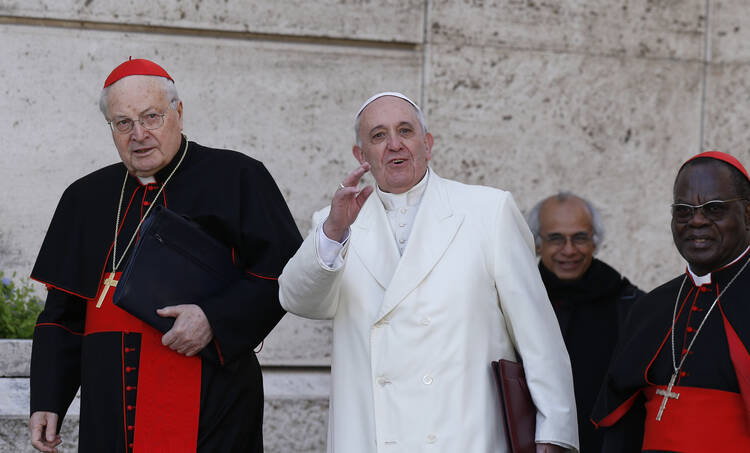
<point x="142" y="391"/>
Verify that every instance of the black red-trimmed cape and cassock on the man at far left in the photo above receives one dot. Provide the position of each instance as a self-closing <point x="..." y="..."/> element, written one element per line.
<point x="234" y="198"/>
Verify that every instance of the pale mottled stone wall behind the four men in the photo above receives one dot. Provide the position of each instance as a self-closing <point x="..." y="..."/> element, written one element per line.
<point x="604" y="97"/>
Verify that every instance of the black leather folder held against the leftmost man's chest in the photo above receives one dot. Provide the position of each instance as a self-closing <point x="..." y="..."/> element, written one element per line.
<point x="174" y="262"/>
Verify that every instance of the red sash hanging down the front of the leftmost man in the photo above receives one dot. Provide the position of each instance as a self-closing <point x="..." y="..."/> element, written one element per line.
<point x="169" y="384"/>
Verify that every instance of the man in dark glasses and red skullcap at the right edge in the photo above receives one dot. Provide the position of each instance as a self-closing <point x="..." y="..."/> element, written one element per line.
<point x="684" y="353"/>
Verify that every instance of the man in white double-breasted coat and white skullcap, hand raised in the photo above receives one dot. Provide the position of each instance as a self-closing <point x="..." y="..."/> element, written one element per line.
<point x="427" y="282"/>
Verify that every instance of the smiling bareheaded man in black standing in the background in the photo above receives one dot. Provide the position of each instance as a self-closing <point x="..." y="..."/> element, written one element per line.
<point x="590" y="298"/>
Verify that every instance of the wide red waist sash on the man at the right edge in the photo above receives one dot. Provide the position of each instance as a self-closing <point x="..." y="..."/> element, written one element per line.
<point x="700" y="420"/>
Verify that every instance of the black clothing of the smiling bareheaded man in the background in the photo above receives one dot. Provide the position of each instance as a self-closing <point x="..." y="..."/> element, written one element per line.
<point x="591" y="312"/>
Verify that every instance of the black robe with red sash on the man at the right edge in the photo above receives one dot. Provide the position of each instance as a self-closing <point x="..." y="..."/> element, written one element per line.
<point x="712" y="412"/>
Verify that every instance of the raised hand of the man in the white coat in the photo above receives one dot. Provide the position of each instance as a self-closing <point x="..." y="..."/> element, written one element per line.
<point x="346" y="203"/>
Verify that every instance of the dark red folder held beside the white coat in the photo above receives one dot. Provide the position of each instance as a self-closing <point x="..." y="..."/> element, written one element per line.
<point x="519" y="411"/>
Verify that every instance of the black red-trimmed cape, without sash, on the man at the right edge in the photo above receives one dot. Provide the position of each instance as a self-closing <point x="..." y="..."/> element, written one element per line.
<point x="642" y="357"/>
